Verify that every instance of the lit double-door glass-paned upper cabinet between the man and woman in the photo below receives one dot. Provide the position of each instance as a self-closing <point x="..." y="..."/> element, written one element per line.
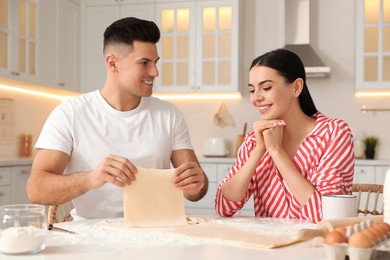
<point x="199" y="46"/>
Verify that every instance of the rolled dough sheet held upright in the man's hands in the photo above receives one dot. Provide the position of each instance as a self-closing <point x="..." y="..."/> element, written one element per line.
<point x="153" y="200"/>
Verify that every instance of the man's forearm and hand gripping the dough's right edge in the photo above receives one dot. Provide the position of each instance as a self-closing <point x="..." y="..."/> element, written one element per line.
<point x="189" y="175"/>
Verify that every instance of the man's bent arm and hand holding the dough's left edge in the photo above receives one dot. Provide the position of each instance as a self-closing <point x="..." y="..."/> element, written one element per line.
<point x="48" y="186"/>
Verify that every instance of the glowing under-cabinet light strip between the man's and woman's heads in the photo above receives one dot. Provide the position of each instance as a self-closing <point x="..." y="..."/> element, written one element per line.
<point x="214" y="95"/>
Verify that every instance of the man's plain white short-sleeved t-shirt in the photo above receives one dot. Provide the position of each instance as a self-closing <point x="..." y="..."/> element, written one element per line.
<point x="88" y="129"/>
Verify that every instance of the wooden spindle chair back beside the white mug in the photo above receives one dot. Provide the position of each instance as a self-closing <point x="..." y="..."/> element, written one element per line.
<point x="366" y="190"/>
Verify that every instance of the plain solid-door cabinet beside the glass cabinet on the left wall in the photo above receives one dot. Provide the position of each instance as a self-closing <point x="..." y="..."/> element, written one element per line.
<point x="62" y="44"/>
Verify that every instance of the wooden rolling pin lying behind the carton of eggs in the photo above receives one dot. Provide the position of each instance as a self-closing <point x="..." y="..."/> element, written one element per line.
<point x="325" y="226"/>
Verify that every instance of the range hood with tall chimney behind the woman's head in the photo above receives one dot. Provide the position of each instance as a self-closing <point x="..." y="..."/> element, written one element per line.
<point x="297" y="36"/>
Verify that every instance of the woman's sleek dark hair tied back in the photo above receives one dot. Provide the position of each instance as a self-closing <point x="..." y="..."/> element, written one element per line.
<point x="290" y="67"/>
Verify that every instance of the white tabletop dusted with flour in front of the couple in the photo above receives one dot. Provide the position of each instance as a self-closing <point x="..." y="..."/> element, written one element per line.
<point x="97" y="242"/>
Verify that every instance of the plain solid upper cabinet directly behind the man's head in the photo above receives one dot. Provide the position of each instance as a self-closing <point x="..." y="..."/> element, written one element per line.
<point x="97" y="15"/>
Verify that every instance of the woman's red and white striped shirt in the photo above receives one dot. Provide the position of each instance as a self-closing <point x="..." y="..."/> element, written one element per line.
<point x="325" y="158"/>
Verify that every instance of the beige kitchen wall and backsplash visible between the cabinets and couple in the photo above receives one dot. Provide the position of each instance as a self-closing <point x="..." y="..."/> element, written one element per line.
<point x="333" y="37"/>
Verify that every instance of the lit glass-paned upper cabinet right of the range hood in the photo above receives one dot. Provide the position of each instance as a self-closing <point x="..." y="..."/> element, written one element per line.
<point x="373" y="45"/>
